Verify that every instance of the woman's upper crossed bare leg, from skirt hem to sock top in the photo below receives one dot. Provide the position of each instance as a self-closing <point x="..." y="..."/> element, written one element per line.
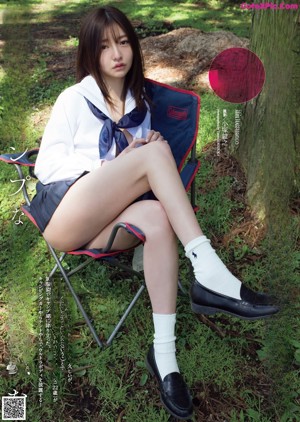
<point x="99" y="197"/>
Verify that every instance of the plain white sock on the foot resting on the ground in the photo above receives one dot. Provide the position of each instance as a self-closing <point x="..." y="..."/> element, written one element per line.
<point x="164" y="343"/>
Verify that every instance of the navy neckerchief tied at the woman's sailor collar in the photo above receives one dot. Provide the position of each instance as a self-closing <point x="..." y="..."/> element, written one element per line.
<point x="112" y="130"/>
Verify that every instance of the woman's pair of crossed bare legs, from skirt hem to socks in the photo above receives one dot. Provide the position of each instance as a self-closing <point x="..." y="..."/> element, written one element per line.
<point x="100" y="199"/>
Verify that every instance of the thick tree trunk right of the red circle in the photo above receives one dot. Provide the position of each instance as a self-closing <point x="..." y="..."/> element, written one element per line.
<point x="269" y="142"/>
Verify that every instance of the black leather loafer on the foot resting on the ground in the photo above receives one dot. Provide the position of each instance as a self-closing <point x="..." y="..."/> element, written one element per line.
<point x="174" y="392"/>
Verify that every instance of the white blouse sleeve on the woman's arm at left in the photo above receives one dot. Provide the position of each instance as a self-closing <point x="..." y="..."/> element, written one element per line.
<point x="58" y="158"/>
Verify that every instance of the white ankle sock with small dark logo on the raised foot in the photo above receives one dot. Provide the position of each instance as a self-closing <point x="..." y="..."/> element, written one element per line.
<point x="209" y="270"/>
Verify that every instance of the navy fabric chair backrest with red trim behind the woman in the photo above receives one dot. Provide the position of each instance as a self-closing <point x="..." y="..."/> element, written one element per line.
<point x="175" y="114"/>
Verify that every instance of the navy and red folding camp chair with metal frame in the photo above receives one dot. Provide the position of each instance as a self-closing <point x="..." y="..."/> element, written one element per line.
<point x="175" y="115"/>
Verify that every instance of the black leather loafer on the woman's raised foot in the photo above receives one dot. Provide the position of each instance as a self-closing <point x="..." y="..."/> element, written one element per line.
<point x="252" y="305"/>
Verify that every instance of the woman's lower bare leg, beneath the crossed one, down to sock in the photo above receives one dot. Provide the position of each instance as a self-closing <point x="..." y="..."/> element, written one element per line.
<point x="160" y="251"/>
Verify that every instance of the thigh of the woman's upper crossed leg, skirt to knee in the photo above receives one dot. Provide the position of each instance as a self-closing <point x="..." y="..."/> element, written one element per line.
<point x="96" y="200"/>
